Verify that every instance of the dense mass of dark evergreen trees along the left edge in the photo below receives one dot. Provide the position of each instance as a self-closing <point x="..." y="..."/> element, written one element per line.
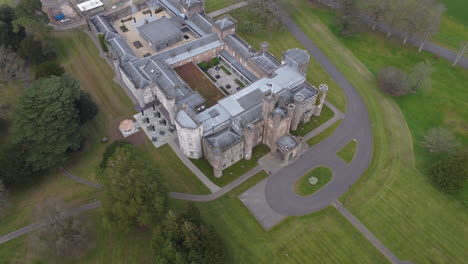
<point x="44" y="127"/>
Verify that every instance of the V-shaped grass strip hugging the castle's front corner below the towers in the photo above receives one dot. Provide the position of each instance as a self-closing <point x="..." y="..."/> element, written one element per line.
<point x="235" y="171"/>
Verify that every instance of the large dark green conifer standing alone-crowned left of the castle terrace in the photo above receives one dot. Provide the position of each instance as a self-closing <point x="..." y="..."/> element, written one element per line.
<point x="46" y="121"/>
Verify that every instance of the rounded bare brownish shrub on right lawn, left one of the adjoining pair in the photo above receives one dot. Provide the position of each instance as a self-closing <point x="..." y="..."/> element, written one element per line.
<point x="393" y="81"/>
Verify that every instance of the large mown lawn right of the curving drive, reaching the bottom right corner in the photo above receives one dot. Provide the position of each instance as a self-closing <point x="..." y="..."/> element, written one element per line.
<point x="393" y="199"/>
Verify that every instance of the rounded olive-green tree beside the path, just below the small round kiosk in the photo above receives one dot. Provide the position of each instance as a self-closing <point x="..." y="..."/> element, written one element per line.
<point x="134" y="191"/>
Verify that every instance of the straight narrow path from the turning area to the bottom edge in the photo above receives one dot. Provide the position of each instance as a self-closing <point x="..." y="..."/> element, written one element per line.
<point x="359" y="226"/>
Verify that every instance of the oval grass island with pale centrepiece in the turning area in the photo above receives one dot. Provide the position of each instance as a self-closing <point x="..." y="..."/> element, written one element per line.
<point x="305" y="186"/>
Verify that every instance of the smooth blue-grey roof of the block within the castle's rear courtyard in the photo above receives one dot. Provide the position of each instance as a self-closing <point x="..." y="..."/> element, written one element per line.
<point x="159" y="31"/>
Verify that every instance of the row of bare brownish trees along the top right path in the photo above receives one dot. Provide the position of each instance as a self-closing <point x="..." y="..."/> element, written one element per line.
<point x="407" y="18"/>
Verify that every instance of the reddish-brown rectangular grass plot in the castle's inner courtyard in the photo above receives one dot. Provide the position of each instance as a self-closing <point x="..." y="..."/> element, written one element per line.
<point x="195" y="78"/>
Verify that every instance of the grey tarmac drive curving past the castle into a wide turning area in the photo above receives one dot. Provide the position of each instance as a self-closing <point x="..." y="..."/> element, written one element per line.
<point x="279" y="191"/>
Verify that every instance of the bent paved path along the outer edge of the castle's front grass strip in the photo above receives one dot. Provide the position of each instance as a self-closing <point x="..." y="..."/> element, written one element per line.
<point x="221" y="191"/>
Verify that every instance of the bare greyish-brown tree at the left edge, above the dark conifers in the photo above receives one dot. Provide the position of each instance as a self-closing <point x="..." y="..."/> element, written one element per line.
<point x="12" y="67"/>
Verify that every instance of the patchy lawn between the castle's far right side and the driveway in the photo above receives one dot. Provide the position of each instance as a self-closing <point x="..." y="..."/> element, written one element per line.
<point x="282" y="40"/>
